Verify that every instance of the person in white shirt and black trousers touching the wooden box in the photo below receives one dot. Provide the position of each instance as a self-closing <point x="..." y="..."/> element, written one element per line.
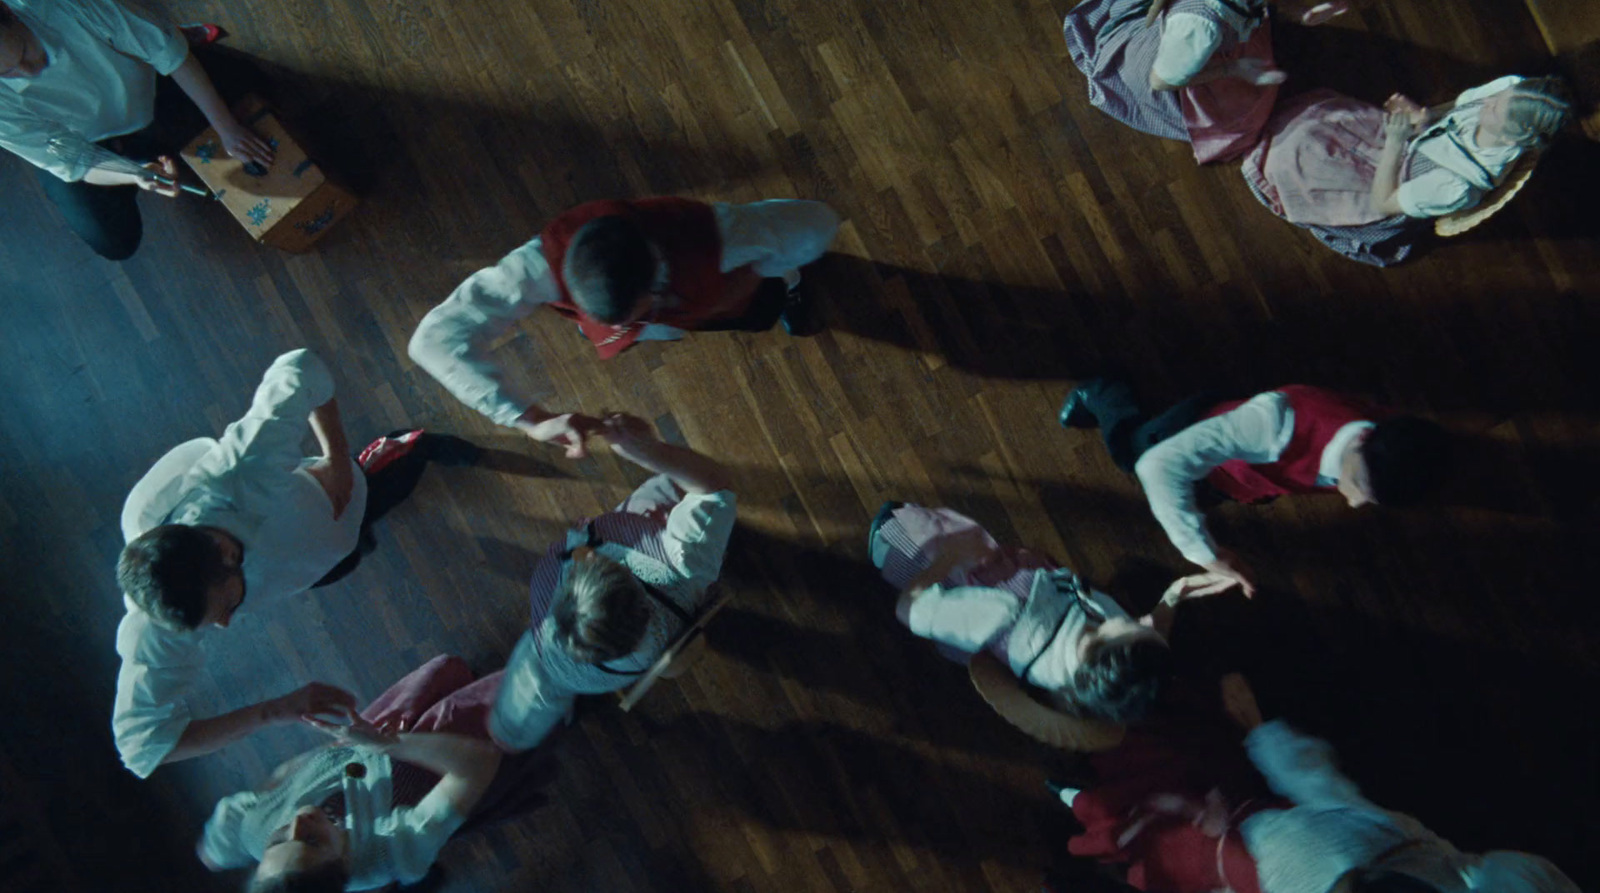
<point x="84" y="73"/>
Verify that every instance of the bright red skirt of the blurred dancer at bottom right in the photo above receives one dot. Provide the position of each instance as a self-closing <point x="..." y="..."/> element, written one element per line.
<point x="1170" y="854"/>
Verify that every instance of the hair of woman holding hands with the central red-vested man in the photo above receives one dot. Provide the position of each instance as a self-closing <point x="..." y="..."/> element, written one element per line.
<point x="601" y="611"/>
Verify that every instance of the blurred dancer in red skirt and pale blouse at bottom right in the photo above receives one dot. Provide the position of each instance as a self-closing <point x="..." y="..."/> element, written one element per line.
<point x="1190" y="809"/>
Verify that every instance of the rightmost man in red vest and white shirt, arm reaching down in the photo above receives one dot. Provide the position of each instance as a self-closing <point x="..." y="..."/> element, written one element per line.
<point x="1295" y="439"/>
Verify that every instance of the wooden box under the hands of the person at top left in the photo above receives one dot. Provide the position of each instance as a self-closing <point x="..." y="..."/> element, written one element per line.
<point x="289" y="206"/>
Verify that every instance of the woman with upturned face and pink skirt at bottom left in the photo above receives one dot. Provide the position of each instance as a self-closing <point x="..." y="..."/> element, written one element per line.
<point x="375" y="807"/>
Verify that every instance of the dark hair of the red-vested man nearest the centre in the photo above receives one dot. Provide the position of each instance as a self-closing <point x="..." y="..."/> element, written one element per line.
<point x="609" y="266"/>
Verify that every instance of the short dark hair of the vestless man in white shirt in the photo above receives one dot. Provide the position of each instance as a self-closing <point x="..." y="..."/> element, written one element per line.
<point x="167" y="572"/>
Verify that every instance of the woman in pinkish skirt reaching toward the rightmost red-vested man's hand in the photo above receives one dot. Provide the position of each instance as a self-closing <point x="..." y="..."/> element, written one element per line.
<point x="964" y="591"/>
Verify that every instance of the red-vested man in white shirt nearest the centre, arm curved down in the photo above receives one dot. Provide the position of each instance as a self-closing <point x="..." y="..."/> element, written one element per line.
<point x="623" y="271"/>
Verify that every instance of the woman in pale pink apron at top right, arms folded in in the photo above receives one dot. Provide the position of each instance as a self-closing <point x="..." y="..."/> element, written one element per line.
<point x="1366" y="180"/>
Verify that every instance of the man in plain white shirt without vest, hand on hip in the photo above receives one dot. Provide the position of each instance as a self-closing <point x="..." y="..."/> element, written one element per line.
<point x="222" y="521"/>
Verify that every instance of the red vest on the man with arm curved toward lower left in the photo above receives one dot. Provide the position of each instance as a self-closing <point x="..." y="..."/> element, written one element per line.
<point x="687" y="234"/>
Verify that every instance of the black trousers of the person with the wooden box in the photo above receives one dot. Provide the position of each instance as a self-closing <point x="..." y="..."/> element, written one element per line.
<point x="108" y="218"/>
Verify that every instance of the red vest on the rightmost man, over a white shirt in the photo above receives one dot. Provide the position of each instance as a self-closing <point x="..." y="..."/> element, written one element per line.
<point x="1319" y="415"/>
